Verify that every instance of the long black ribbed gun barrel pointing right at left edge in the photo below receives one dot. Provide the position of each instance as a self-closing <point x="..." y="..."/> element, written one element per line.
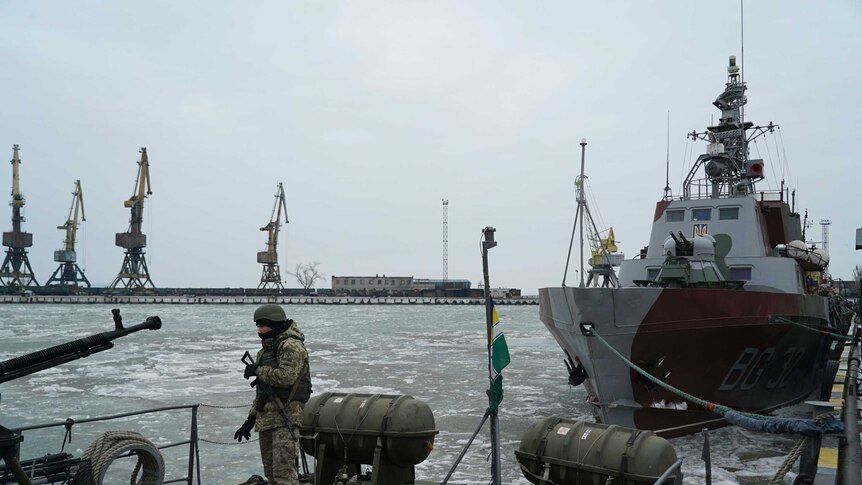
<point x="58" y="354"/>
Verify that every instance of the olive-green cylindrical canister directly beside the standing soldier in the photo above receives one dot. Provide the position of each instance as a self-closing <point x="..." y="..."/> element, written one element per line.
<point x="354" y="423"/>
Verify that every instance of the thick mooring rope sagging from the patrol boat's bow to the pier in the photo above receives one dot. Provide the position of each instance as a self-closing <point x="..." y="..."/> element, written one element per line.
<point x="754" y="422"/>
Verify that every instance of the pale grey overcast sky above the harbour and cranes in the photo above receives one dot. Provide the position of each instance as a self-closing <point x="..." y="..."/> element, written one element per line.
<point x="370" y="113"/>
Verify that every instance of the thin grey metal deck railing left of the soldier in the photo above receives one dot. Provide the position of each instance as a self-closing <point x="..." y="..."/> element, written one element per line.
<point x="193" y="471"/>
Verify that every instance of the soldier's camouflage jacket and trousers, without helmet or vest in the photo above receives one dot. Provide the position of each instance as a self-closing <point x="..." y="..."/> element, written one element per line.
<point x="277" y="446"/>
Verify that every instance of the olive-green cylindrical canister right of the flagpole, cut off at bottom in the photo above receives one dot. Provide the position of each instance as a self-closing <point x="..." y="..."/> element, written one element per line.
<point x="567" y="451"/>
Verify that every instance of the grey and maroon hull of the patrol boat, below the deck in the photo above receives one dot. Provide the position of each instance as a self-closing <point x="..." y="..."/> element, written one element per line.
<point x="728" y="347"/>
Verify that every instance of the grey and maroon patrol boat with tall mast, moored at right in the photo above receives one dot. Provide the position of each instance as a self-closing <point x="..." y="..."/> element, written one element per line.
<point x="720" y="305"/>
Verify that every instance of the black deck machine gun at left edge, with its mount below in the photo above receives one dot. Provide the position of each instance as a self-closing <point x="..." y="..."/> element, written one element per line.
<point x="51" y="357"/>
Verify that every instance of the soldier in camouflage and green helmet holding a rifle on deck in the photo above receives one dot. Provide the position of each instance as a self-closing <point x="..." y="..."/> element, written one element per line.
<point x="283" y="384"/>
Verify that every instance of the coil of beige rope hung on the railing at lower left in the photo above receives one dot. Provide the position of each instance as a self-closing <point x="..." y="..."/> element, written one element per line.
<point x="113" y="444"/>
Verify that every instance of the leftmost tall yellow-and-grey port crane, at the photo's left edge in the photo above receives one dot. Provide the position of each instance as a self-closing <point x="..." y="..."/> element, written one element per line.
<point x="16" y="271"/>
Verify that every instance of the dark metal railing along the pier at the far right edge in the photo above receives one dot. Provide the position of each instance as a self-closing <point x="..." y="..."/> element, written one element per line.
<point x="849" y="467"/>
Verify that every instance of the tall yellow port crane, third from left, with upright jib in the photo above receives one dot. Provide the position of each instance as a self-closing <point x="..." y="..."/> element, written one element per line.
<point x="134" y="273"/>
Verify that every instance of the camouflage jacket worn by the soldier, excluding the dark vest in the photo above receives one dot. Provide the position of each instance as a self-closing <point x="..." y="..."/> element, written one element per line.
<point x="291" y="355"/>
